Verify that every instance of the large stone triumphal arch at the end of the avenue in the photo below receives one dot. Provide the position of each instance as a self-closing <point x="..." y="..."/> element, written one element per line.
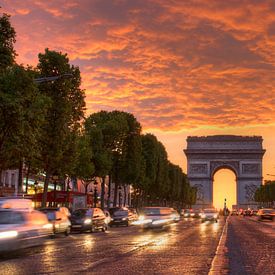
<point x="241" y="154"/>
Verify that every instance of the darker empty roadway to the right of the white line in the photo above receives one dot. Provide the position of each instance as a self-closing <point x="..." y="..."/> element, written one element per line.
<point x="251" y="246"/>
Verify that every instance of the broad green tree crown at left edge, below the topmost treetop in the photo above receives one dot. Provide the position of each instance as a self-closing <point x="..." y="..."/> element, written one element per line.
<point x="22" y="110"/>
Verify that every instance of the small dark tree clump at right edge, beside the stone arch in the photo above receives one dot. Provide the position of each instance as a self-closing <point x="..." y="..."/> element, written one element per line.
<point x="265" y="194"/>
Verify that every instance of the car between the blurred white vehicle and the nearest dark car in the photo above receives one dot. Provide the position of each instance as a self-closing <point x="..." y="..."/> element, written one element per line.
<point x="59" y="218"/>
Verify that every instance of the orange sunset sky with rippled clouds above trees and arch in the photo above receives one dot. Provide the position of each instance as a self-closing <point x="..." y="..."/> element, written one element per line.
<point x="181" y="67"/>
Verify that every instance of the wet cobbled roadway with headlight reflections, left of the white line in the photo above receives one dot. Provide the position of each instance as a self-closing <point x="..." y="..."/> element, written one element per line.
<point x="188" y="247"/>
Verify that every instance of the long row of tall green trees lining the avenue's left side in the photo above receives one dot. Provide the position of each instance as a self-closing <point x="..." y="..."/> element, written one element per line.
<point x="42" y="125"/>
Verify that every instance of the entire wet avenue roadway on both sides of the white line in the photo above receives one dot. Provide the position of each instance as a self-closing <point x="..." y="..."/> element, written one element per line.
<point x="188" y="247"/>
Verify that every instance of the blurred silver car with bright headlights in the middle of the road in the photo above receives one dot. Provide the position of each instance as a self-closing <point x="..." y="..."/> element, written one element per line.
<point x="155" y="217"/>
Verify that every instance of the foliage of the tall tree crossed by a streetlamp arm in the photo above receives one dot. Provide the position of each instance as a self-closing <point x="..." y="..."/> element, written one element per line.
<point x="64" y="115"/>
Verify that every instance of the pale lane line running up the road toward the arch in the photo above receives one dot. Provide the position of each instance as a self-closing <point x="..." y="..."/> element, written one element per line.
<point x="220" y="262"/>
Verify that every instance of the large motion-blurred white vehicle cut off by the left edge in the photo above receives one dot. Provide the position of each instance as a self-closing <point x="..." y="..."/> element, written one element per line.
<point x="21" y="226"/>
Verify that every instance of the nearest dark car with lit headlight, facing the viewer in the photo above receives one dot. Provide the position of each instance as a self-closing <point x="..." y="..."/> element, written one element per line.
<point x="88" y="219"/>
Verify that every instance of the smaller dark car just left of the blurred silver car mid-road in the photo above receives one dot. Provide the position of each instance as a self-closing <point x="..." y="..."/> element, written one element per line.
<point x="122" y="216"/>
